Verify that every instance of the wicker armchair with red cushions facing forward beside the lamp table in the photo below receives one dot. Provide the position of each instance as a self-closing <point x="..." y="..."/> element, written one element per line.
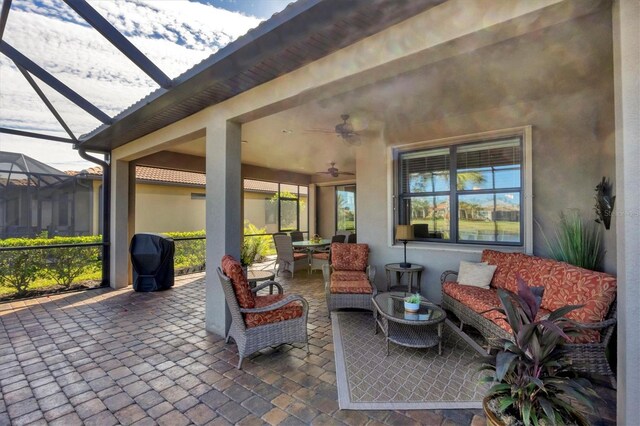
<point x="348" y="281"/>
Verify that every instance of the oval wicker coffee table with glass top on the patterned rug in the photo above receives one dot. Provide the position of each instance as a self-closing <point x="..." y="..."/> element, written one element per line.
<point x="422" y="329"/>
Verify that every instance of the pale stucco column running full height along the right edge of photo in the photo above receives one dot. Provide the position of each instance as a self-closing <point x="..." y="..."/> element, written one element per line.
<point x="626" y="51"/>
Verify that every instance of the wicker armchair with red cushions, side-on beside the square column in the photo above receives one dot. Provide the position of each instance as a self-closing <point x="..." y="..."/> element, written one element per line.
<point x="258" y="322"/>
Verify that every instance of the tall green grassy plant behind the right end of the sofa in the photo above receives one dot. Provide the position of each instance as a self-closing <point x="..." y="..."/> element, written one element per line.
<point x="577" y="242"/>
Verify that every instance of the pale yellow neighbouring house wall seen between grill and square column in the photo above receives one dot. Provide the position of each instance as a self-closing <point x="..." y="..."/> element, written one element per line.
<point x="163" y="208"/>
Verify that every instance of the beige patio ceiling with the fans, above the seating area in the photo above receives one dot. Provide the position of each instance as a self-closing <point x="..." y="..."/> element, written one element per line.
<point x="400" y="108"/>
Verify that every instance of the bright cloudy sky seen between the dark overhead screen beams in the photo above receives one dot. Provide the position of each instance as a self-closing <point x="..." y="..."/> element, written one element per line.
<point x="175" y="35"/>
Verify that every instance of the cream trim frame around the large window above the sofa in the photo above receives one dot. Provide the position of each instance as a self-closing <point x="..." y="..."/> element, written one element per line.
<point x="393" y="153"/>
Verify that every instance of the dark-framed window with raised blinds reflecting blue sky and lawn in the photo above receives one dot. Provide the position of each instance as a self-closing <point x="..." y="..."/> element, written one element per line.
<point x="482" y="207"/>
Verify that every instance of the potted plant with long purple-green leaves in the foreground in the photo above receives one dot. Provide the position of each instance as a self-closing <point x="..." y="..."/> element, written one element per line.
<point x="529" y="372"/>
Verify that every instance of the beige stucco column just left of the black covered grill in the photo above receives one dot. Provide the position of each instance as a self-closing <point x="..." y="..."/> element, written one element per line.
<point x="119" y="224"/>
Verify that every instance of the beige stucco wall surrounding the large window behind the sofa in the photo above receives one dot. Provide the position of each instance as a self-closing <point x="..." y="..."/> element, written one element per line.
<point x="569" y="107"/>
